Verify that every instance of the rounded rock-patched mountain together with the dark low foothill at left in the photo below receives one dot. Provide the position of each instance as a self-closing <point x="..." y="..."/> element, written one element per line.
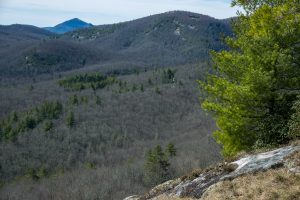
<point x="171" y="38"/>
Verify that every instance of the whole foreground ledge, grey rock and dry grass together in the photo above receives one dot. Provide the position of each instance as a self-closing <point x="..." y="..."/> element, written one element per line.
<point x="277" y="165"/>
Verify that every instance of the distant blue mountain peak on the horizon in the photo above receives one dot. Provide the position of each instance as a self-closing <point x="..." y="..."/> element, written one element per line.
<point x="67" y="26"/>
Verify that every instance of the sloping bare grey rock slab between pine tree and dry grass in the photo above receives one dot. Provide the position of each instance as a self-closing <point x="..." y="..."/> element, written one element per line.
<point x="195" y="187"/>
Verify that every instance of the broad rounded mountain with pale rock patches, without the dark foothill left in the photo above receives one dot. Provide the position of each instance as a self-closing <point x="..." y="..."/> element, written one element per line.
<point x="172" y="37"/>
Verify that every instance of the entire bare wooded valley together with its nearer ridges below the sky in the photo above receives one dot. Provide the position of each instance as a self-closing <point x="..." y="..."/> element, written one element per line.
<point x="122" y="89"/>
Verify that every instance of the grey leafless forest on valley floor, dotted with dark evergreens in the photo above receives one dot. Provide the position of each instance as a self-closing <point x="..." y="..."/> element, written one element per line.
<point x="54" y="130"/>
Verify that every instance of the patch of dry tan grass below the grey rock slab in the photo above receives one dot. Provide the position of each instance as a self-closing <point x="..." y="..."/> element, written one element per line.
<point x="269" y="185"/>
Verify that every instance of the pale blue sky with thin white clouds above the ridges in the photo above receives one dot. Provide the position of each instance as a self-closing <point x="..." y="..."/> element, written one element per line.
<point x="44" y="13"/>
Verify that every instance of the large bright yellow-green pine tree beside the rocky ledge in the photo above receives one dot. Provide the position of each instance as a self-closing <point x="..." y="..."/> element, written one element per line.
<point x="255" y="83"/>
